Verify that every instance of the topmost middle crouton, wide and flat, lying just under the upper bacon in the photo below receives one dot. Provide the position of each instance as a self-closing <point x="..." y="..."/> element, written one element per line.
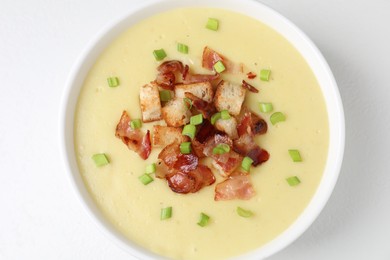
<point x="202" y="90"/>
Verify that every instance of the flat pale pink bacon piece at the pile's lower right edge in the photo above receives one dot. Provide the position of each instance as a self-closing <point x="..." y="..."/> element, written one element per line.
<point x="237" y="186"/>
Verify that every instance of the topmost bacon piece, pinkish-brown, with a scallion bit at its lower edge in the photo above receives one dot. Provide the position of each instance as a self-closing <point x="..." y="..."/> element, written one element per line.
<point x="210" y="57"/>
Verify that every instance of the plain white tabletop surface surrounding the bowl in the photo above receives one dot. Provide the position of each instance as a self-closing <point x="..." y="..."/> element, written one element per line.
<point x="40" y="217"/>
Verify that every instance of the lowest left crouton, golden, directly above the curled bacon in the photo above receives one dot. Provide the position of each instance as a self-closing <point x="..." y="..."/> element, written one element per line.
<point x="165" y="135"/>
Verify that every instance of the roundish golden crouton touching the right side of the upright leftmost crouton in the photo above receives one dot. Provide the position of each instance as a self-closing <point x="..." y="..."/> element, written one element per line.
<point x="175" y="113"/>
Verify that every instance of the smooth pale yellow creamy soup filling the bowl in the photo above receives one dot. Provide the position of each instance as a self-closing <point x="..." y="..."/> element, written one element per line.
<point x="133" y="208"/>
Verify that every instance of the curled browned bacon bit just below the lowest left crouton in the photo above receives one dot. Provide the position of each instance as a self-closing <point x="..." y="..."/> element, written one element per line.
<point x="175" y="160"/>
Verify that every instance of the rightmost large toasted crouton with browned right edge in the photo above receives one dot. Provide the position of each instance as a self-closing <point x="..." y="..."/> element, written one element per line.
<point x="229" y="97"/>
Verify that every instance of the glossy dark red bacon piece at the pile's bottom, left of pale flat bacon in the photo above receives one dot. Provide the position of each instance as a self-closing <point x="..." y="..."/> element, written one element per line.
<point x="192" y="181"/>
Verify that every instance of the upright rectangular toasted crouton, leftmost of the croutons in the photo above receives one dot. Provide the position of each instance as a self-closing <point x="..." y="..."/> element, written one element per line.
<point x="149" y="97"/>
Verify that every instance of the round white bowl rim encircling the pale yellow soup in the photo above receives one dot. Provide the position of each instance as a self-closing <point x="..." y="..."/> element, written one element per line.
<point x="255" y="10"/>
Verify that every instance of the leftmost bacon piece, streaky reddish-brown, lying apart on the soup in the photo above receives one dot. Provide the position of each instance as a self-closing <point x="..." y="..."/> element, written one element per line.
<point x="133" y="138"/>
